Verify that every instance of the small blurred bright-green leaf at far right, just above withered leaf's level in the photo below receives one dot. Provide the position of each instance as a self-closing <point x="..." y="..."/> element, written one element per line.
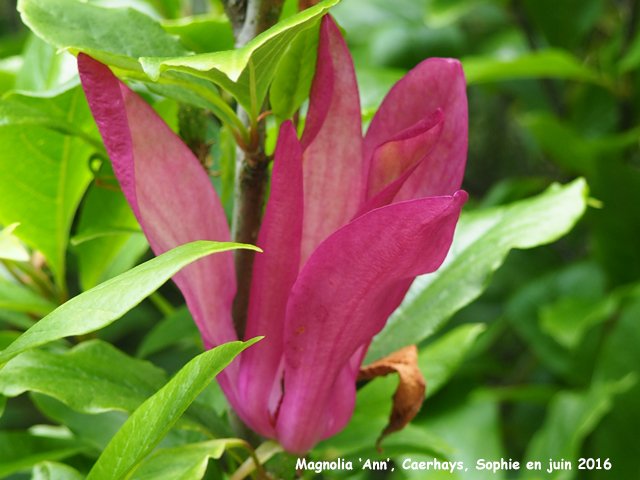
<point x="569" y="319"/>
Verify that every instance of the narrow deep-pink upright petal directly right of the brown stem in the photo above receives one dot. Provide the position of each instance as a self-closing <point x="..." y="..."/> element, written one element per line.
<point x="274" y="273"/>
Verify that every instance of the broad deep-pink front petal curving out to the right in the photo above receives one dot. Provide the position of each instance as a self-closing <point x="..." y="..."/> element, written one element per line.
<point x="343" y="297"/>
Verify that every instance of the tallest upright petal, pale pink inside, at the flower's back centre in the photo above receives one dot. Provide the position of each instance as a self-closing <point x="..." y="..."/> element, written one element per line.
<point x="332" y="142"/>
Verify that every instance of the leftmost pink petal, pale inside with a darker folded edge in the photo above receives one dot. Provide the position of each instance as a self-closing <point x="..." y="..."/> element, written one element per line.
<point x="170" y="193"/>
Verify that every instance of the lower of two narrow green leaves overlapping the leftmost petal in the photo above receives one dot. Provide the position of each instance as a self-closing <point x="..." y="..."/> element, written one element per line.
<point x="153" y="419"/>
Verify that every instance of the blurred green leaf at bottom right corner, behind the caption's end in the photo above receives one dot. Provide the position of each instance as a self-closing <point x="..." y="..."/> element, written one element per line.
<point x="571" y="417"/>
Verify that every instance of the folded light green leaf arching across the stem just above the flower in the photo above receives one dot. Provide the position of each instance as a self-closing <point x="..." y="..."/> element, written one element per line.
<point x="233" y="69"/>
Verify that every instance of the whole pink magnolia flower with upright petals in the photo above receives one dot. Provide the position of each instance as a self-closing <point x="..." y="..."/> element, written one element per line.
<point x="349" y="224"/>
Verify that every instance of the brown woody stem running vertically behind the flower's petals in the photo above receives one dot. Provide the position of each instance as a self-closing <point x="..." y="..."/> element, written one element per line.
<point x="249" y="18"/>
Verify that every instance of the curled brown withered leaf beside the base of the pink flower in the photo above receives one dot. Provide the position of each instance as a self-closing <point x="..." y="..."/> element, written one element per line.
<point x="410" y="392"/>
